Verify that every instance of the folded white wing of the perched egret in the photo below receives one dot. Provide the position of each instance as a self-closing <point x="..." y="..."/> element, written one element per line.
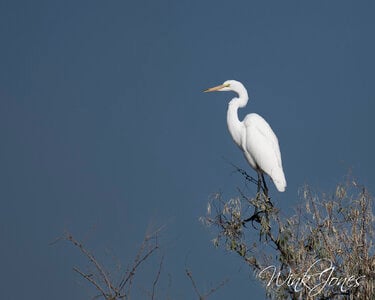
<point x="262" y="145"/>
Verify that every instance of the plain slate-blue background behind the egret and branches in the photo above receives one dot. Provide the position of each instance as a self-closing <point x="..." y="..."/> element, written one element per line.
<point x="106" y="132"/>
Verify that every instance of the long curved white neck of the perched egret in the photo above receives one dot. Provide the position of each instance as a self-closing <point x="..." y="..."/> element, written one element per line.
<point x="235" y="126"/>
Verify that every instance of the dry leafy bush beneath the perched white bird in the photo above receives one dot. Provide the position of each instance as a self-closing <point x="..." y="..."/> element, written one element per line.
<point x="324" y="251"/>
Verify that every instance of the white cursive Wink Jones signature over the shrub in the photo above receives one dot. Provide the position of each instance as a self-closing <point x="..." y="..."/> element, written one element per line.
<point x="318" y="276"/>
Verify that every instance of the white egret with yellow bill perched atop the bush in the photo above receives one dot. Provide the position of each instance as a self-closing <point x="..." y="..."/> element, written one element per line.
<point x="254" y="136"/>
